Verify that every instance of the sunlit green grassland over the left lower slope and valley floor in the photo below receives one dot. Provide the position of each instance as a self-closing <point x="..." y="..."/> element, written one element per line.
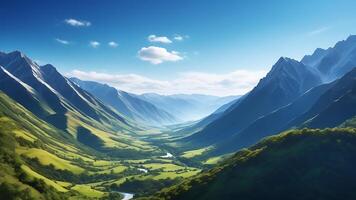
<point x="55" y="165"/>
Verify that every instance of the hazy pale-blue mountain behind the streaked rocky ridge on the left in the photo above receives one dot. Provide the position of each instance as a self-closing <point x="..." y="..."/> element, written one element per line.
<point x="127" y="104"/>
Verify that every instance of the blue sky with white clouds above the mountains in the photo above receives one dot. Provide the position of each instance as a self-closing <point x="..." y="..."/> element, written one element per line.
<point x="170" y="46"/>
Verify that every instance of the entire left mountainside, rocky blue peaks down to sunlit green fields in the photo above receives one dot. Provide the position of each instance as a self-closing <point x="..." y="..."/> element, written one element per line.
<point x="60" y="142"/>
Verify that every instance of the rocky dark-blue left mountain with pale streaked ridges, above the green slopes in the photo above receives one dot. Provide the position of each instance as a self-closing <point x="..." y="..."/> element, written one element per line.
<point x="56" y="100"/>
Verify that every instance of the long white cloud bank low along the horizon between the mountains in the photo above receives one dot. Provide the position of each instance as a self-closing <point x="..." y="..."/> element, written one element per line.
<point x="233" y="83"/>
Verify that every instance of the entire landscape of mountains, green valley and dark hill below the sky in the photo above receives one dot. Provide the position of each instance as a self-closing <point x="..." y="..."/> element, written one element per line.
<point x="291" y="137"/>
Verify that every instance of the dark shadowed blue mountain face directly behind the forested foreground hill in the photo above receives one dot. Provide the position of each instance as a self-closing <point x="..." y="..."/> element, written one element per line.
<point x="325" y="106"/>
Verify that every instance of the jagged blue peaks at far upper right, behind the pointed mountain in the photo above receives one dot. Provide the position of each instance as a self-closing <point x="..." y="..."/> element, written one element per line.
<point x="334" y="62"/>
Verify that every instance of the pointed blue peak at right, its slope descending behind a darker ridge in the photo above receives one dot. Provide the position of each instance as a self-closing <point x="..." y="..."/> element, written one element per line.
<point x="287" y="80"/>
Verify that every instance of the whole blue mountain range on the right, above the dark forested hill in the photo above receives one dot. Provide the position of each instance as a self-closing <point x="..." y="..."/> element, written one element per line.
<point x="293" y="94"/>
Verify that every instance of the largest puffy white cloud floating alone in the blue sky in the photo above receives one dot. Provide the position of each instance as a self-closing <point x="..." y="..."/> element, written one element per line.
<point x="157" y="55"/>
